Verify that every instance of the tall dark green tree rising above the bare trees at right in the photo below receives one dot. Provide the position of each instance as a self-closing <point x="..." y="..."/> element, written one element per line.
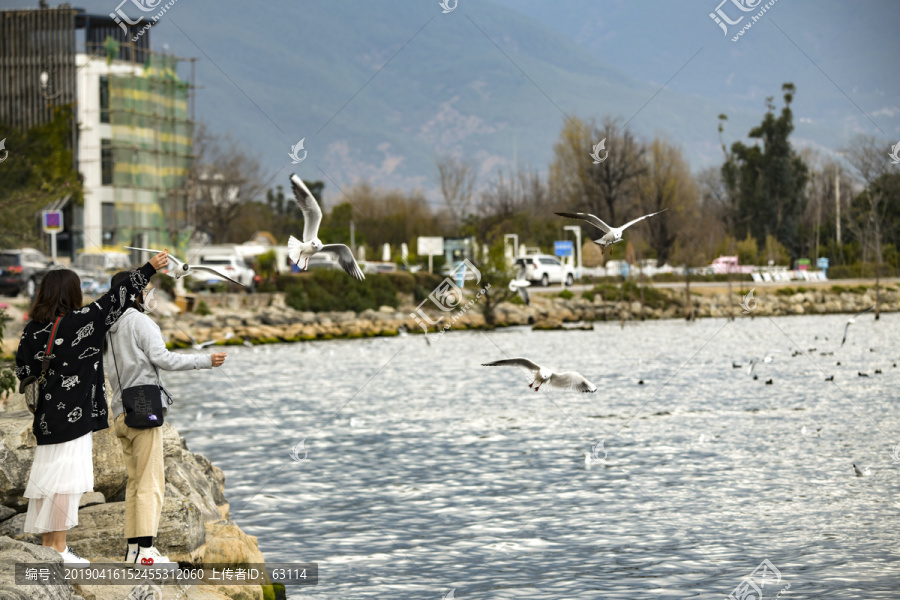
<point x="768" y="181"/>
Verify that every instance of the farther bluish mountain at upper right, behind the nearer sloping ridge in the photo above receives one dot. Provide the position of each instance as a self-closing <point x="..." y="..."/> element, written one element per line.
<point x="834" y="51"/>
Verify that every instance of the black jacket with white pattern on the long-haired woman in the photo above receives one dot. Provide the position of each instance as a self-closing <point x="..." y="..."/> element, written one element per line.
<point x="73" y="398"/>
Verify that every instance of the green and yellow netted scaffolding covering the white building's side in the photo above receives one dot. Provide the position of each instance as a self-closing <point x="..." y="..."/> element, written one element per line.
<point x="150" y="150"/>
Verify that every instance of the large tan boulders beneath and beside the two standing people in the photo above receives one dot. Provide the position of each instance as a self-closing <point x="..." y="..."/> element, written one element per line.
<point x="195" y="527"/>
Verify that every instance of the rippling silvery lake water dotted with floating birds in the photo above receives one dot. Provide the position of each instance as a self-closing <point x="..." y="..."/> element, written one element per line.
<point x="425" y="472"/>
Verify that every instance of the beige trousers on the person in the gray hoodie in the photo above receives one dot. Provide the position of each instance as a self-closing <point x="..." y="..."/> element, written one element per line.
<point x="142" y="450"/>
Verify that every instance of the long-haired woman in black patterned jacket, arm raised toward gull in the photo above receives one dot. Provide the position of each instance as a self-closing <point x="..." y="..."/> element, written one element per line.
<point x="72" y="402"/>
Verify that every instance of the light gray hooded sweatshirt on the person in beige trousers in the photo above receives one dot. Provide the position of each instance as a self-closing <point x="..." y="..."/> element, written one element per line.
<point x="140" y="351"/>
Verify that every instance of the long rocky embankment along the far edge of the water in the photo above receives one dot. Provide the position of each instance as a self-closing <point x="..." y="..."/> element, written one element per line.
<point x="270" y="320"/>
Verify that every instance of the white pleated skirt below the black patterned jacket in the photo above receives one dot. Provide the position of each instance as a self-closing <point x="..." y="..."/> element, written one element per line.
<point x="60" y="474"/>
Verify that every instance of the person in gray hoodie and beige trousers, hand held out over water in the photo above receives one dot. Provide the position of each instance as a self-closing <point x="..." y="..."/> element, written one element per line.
<point x="134" y="353"/>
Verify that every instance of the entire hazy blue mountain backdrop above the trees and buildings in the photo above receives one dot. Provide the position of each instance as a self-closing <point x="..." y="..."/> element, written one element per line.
<point x="380" y="89"/>
